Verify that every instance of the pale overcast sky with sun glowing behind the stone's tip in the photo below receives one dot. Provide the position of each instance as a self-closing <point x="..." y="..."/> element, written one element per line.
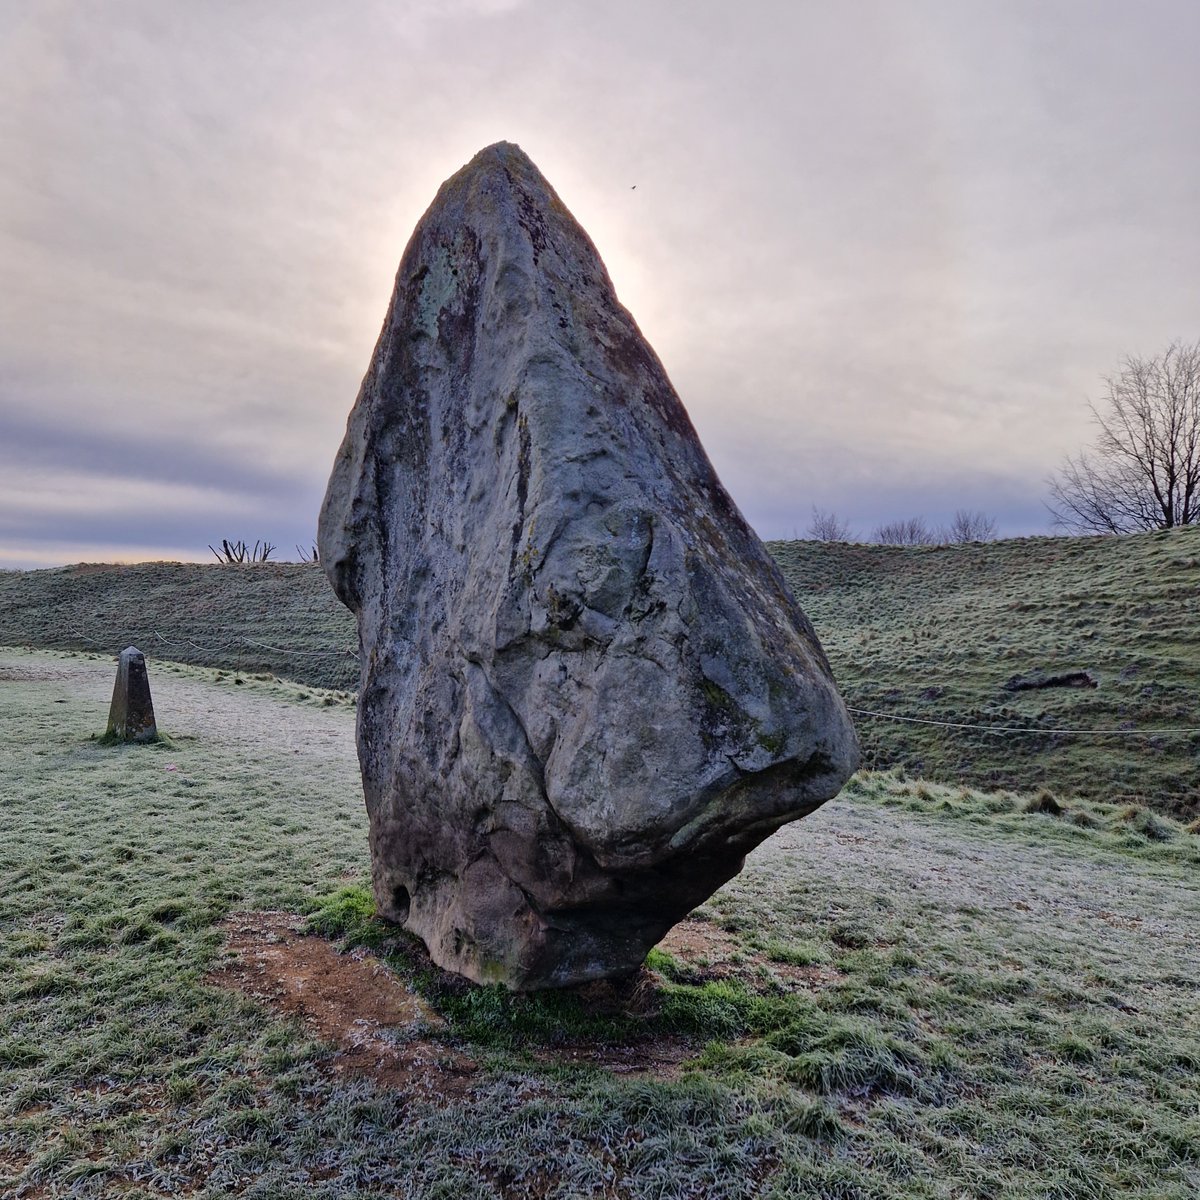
<point x="886" y="249"/>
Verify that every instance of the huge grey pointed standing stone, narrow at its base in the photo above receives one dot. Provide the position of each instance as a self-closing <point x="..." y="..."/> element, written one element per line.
<point x="587" y="692"/>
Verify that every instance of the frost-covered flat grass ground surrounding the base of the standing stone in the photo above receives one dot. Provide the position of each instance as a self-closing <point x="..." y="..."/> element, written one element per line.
<point x="922" y="991"/>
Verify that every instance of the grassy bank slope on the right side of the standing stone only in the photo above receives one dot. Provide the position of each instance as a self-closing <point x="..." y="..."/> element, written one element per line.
<point x="938" y="633"/>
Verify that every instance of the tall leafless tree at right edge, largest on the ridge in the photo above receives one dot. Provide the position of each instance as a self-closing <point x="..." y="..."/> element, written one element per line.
<point x="1144" y="470"/>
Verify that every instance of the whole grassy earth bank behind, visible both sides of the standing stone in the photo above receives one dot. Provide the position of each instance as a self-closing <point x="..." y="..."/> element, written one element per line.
<point x="932" y="633"/>
